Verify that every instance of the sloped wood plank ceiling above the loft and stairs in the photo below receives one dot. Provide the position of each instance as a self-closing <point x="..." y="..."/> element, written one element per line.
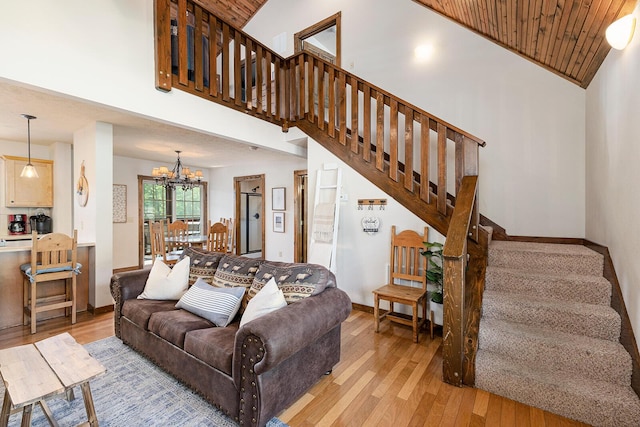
<point x="563" y="36"/>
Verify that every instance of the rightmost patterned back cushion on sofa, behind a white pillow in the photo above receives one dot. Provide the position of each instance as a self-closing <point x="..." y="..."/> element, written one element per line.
<point x="296" y="280"/>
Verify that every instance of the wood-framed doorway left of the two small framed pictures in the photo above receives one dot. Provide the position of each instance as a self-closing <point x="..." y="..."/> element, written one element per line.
<point x="249" y="214"/>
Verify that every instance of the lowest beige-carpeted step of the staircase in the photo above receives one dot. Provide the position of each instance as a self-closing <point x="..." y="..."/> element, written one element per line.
<point x="586" y="400"/>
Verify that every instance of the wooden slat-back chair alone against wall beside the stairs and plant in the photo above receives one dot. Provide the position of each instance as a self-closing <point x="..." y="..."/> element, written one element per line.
<point x="407" y="267"/>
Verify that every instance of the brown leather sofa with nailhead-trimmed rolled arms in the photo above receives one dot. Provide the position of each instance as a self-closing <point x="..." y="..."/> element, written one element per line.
<point x="251" y="373"/>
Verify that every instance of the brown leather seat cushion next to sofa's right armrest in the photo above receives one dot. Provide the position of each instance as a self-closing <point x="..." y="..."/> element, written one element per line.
<point x="214" y="346"/>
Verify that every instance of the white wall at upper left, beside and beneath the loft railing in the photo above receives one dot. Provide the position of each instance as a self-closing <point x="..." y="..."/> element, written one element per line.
<point x="103" y="51"/>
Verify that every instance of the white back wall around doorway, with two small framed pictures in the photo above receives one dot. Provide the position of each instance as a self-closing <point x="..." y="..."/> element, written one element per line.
<point x="278" y="246"/>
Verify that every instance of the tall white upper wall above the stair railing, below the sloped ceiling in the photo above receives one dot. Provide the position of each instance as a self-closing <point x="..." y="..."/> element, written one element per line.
<point x="532" y="170"/>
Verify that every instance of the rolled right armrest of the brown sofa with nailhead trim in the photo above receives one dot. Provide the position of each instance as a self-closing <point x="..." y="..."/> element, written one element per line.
<point x="289" y="329"/>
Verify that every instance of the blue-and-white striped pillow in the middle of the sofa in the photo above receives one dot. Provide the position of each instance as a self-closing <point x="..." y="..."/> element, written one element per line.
<point x="218" y="305"/>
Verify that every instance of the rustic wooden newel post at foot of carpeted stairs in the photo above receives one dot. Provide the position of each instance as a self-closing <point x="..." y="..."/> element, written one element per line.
<point x="453" y="312"/>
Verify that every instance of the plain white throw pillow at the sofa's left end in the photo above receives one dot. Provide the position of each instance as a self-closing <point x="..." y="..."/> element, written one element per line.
<point x="166" y="283"/>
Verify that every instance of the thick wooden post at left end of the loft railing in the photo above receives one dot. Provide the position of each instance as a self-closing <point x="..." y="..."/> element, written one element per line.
<point x="162" y="31"/>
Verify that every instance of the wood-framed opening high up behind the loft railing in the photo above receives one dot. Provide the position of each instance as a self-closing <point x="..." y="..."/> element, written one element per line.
<point x="321" y="39"/>
